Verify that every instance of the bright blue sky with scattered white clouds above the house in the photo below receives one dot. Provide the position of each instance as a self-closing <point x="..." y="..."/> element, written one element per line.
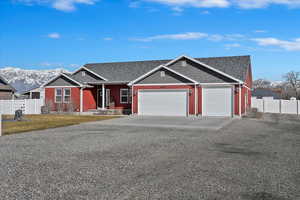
<point x="45" y="34"/>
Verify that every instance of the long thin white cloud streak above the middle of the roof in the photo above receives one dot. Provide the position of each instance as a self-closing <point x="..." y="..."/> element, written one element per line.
<point x="180" y="36"/>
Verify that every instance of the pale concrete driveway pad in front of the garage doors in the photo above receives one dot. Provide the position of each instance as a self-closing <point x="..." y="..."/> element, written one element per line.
<point x="214" y="123"/>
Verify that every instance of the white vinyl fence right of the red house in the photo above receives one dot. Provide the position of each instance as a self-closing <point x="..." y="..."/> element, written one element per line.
<point x="276" y="106"/>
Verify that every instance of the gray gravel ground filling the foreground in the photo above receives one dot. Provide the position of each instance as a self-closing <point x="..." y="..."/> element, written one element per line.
<point x="248" y="159"/>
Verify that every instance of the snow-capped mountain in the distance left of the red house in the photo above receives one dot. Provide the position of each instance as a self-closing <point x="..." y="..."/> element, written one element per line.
<point x="23" y="79"/>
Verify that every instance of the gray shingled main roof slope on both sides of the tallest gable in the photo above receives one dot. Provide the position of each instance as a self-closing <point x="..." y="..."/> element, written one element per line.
<point x="235" y="66"/>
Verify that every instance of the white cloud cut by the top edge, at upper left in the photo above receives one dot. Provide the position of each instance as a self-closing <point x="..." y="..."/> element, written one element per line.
<point x="62" y="5"/>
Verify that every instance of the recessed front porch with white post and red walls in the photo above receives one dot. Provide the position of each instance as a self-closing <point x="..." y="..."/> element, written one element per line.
<point x="107" y="99"/>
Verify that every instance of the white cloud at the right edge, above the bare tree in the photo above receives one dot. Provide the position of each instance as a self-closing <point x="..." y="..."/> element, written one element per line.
<point x="293" y="45"/>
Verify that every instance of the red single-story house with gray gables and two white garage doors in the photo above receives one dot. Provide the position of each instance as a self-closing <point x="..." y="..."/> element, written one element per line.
<point x="219" y="86"/>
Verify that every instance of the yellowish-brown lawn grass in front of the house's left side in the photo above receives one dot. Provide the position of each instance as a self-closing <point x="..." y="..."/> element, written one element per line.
<point x="40" y="122"/>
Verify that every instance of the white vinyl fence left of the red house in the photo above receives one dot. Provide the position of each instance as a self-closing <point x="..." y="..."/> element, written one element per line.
<point x="28" y="106"/>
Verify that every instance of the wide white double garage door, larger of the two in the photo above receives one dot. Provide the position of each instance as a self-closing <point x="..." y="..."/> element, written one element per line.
<point x="162" y="102"/>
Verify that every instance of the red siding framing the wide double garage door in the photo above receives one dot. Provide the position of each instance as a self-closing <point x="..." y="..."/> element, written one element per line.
<point x="191" y="96"/>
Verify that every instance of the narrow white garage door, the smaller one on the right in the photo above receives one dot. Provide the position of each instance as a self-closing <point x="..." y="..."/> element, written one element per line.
<point x="217" y="101"/>
